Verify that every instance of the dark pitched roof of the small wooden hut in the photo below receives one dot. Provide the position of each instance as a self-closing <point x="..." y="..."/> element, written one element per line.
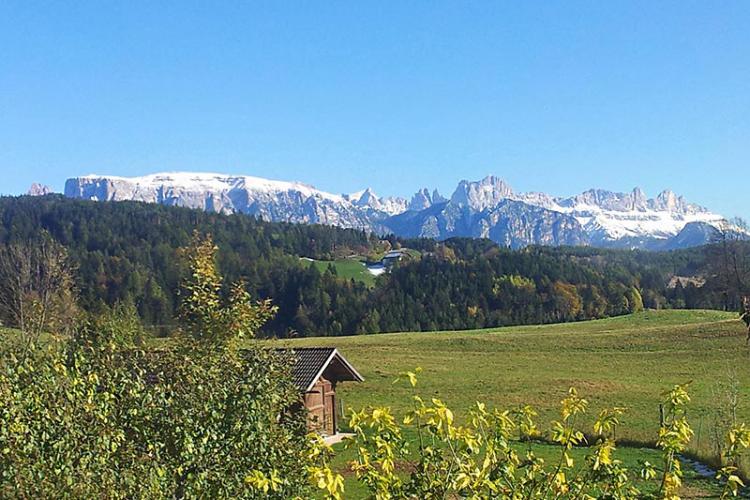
<point x="311" y="362"/>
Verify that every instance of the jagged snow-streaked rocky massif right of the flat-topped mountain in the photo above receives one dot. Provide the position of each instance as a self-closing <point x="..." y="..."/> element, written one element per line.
<point x="596" y="217"/>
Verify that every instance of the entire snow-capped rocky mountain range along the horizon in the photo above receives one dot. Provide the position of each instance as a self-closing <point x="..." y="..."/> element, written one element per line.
<point x="488" y="208"/>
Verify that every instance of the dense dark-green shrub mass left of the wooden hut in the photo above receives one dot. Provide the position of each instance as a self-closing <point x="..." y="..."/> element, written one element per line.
<point x="96" y="415"/>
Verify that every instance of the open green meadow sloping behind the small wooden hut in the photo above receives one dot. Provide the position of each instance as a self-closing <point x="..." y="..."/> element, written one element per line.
<point x="627" y="361"/>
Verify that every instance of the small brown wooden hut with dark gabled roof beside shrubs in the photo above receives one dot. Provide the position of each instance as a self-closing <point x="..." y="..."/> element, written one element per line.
<point x="316" y="372"/>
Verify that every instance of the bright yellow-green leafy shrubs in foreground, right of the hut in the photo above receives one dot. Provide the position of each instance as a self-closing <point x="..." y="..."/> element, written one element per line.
<point x="477" y="460"/>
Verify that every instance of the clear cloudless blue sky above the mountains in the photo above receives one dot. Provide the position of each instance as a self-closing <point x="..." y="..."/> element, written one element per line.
<point x="552" y="96"/>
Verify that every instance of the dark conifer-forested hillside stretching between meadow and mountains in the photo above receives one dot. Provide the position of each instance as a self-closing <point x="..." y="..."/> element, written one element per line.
<point x="129" y="251"/>
